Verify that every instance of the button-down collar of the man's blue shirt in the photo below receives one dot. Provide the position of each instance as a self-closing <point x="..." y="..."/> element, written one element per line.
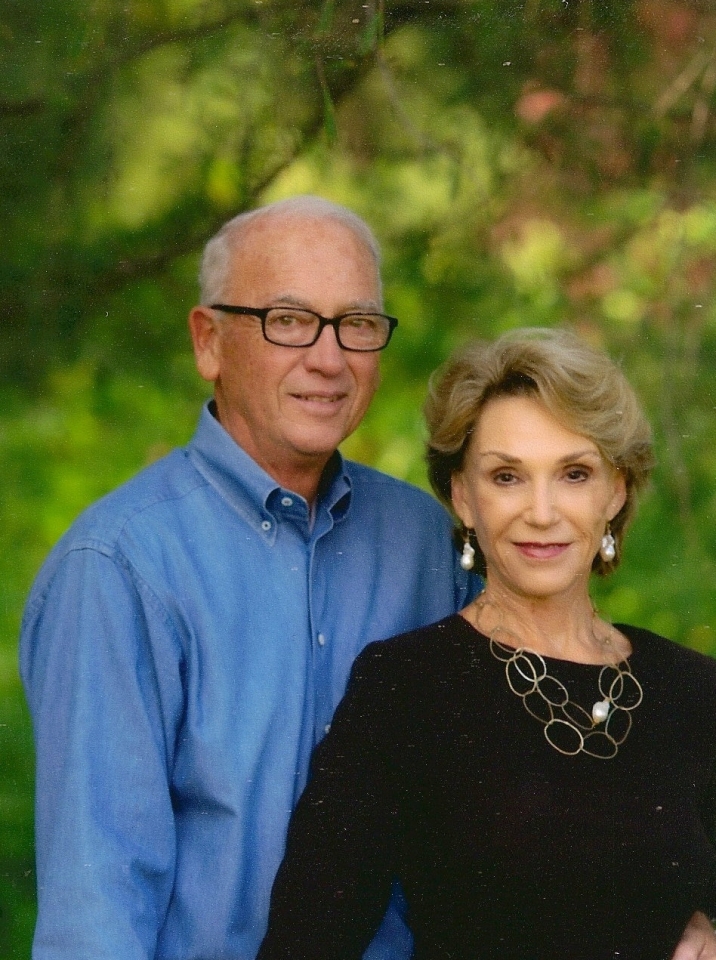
<point x="253" y="492"/>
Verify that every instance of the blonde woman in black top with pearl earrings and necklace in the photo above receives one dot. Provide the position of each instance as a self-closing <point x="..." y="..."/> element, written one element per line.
<point x="541" y="782"/>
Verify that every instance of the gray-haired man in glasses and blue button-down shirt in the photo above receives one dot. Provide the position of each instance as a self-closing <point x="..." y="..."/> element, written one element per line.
<point x="186" y="643"/>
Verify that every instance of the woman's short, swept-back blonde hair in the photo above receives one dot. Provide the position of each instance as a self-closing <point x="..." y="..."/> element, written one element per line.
<point x="581" y="387"/>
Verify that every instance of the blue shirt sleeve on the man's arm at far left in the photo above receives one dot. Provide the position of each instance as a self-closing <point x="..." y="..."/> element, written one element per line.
<point x="101" y="672"/>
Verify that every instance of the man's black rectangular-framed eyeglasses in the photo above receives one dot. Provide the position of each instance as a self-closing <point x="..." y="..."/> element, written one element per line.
<point x="296" y="327"/>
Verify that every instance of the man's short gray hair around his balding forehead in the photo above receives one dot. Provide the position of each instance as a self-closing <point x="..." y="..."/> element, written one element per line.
<point x="216" y="260"/>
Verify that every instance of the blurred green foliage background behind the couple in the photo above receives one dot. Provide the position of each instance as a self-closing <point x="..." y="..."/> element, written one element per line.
<point x="522" y="161"/>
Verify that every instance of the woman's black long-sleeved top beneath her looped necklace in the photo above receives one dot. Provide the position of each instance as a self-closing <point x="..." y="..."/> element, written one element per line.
<point x="434" y="773"/>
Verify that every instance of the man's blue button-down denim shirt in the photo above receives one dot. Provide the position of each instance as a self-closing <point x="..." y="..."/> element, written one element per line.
<point x="183" y="650"/>
